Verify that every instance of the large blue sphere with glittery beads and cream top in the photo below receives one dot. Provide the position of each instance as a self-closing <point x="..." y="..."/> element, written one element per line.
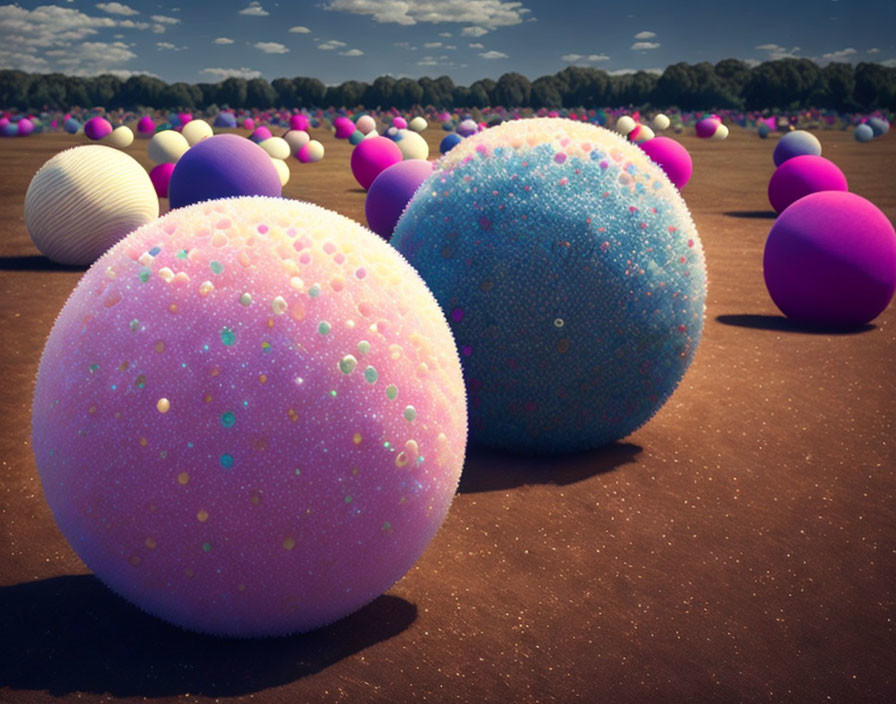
<point x="572" y="275"/>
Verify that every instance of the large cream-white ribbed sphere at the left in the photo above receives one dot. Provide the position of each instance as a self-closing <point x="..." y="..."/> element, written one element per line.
<point x="84" y="200"/>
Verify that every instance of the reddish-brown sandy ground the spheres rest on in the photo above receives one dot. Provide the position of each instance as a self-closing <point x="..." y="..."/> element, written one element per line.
<point x="739" y="547"/>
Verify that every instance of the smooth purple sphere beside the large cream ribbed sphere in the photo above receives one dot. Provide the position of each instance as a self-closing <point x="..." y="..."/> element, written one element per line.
<point x="222" y="166"/>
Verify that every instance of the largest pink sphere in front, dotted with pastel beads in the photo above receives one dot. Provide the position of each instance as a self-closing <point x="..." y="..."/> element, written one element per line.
<point x="249" y="417"/>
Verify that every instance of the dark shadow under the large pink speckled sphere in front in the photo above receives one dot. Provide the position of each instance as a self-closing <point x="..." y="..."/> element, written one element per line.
<point x="72" y="634"/>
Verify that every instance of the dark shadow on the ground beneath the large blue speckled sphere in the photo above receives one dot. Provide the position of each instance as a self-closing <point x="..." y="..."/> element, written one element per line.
<point x="493" y="470"/>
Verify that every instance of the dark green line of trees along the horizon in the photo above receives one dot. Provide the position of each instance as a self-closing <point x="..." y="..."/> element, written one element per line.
<point x="784" y="84"/>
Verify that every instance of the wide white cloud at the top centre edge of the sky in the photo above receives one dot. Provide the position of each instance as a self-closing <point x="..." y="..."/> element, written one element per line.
<point x="487" y="13"/>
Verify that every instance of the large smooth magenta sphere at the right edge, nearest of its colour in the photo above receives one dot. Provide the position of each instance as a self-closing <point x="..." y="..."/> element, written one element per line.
<point x="830" y="260"/>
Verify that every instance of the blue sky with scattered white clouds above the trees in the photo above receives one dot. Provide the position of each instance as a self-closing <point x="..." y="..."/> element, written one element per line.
<point x="338" y="40"/>
